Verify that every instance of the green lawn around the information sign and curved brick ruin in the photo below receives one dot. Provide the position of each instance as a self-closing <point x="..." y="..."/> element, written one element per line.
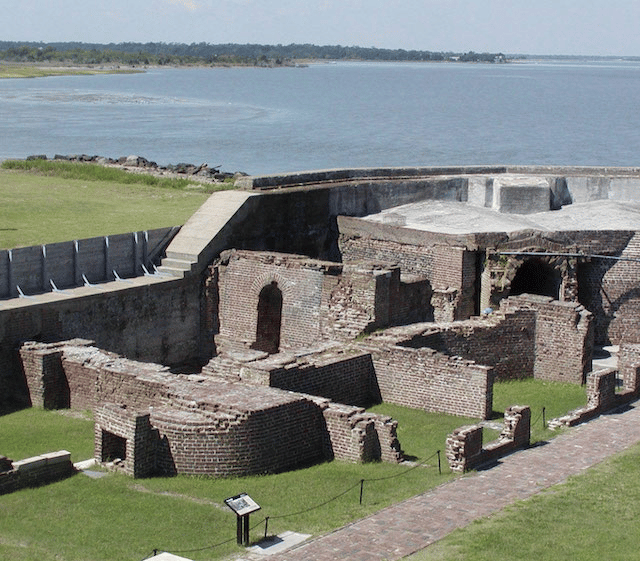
<point x="117" y="517"/>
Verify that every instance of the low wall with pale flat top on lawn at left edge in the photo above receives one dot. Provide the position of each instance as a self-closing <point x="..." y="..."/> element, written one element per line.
<point x="35" y="471"/>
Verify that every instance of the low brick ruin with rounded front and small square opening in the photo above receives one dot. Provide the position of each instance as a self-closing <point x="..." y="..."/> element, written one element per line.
<point x="149" y="420"/>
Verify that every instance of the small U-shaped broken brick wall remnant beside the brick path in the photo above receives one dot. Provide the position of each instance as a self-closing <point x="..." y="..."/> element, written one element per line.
<point x="464" y="448"/>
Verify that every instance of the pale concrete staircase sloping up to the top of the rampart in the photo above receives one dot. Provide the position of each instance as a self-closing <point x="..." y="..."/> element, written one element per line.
<point x="205" y="234"/>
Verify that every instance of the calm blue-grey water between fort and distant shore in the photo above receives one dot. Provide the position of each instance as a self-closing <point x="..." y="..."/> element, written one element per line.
<point x="335" y="115"/>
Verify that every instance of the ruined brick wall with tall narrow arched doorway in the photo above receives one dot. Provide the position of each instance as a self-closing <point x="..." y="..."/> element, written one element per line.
<point x="320" y="300"/>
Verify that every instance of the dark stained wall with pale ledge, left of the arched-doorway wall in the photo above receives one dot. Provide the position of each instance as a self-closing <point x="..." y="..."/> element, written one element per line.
<point x="159" y="321"/>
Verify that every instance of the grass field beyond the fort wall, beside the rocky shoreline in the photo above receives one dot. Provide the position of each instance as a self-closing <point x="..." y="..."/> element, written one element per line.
<point x="79" y="201"/>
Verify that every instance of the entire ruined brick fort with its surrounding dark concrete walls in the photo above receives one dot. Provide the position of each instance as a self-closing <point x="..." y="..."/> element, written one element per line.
<point x="281" y="311"/>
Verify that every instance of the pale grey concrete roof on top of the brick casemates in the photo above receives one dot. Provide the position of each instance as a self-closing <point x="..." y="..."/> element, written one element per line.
<point x="462" y="218"/>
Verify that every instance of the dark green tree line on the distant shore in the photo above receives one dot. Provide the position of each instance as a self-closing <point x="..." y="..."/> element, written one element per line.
<point x="198" y="53"/>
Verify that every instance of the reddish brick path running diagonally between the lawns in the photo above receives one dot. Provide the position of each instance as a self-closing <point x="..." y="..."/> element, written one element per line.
<point x="402" y="529"/>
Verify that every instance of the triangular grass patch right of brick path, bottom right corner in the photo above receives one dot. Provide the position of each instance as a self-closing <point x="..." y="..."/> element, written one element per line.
<point x="593" y="516"/>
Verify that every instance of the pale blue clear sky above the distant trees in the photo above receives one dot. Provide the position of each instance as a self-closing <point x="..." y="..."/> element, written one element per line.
<point x="554" y="27"/>
